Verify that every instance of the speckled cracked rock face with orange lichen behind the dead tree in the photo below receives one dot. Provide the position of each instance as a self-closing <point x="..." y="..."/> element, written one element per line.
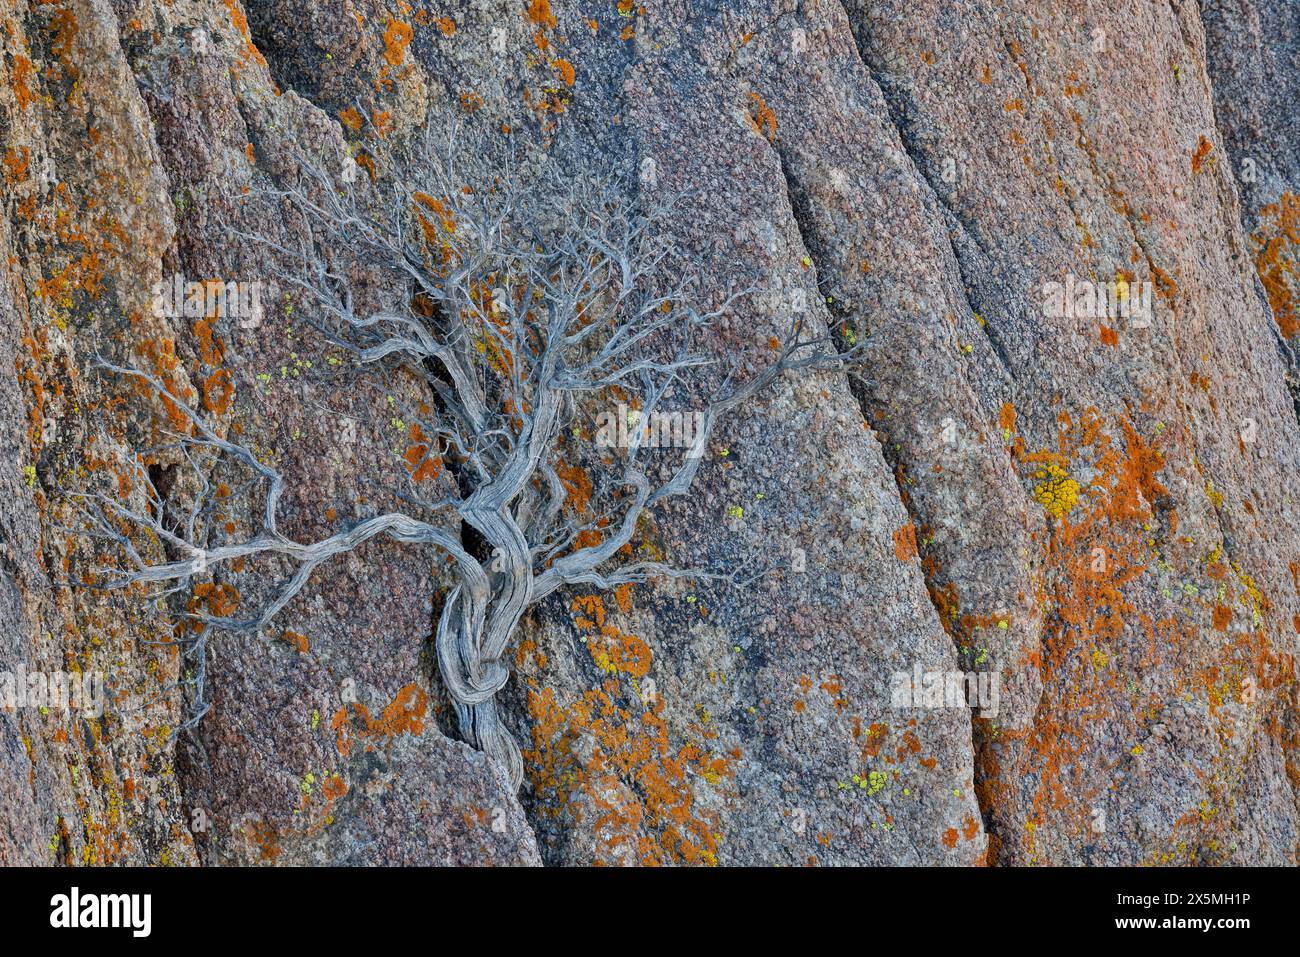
<point x="1097" y="510"/>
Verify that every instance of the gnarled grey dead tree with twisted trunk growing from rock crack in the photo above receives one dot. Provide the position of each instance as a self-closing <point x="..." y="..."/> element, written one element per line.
<point x="525" y="304"/>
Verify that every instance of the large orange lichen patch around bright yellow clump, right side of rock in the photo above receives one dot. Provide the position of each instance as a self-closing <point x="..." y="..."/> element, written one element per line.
<point x="1098" y="635"/>
